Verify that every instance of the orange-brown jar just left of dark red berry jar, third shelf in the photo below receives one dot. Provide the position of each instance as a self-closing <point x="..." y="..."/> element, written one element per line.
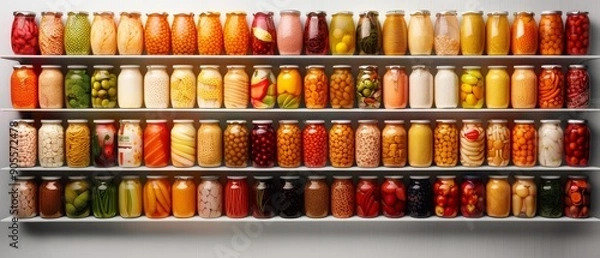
<point x="236" y="139"/>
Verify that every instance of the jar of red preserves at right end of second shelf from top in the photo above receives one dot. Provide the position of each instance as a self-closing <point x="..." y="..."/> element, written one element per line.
<point x="578" y="87"/>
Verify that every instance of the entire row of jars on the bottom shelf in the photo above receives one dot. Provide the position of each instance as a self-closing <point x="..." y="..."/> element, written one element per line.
<point x="294" y="196"/>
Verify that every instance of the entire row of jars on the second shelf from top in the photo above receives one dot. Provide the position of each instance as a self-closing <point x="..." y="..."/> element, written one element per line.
<point x="289" y="89"/>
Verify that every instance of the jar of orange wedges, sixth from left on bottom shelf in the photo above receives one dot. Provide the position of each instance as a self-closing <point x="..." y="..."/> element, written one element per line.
<point x="157" y="197"/>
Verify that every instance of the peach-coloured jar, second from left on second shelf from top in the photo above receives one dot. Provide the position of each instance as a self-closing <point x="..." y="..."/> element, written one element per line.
<point x="50" y="87"/>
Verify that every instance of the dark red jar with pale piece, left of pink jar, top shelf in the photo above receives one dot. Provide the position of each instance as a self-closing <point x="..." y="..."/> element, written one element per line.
<point x="264" y="37"/>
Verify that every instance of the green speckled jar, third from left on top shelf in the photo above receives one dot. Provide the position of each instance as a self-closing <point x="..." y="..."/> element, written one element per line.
<point x="77" y="34"/>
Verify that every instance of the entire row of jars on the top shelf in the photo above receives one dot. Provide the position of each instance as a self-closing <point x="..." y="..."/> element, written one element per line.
<point x="473" y="36"/>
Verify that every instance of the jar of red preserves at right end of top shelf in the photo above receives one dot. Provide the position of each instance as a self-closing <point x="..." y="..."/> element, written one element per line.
<point x="577" y="33"/>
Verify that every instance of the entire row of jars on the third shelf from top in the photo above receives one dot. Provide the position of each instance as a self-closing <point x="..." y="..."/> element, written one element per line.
<point x="288" y="146"/>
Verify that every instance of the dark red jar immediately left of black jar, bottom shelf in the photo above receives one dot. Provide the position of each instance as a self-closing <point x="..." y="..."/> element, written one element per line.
<point x="393" y="197"/>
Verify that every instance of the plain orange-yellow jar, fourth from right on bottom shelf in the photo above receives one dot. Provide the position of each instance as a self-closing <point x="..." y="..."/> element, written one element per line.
<point x="497" y="196"/>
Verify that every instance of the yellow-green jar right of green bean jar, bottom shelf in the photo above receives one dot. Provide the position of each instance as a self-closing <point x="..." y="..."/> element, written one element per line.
<point x="130" y="197"/>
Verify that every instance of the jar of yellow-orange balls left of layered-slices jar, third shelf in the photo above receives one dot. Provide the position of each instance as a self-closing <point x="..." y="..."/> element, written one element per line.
<point x="445" y="140"/>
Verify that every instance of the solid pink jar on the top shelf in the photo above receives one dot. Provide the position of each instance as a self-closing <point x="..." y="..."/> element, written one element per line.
<point x="289" y="33"/>
